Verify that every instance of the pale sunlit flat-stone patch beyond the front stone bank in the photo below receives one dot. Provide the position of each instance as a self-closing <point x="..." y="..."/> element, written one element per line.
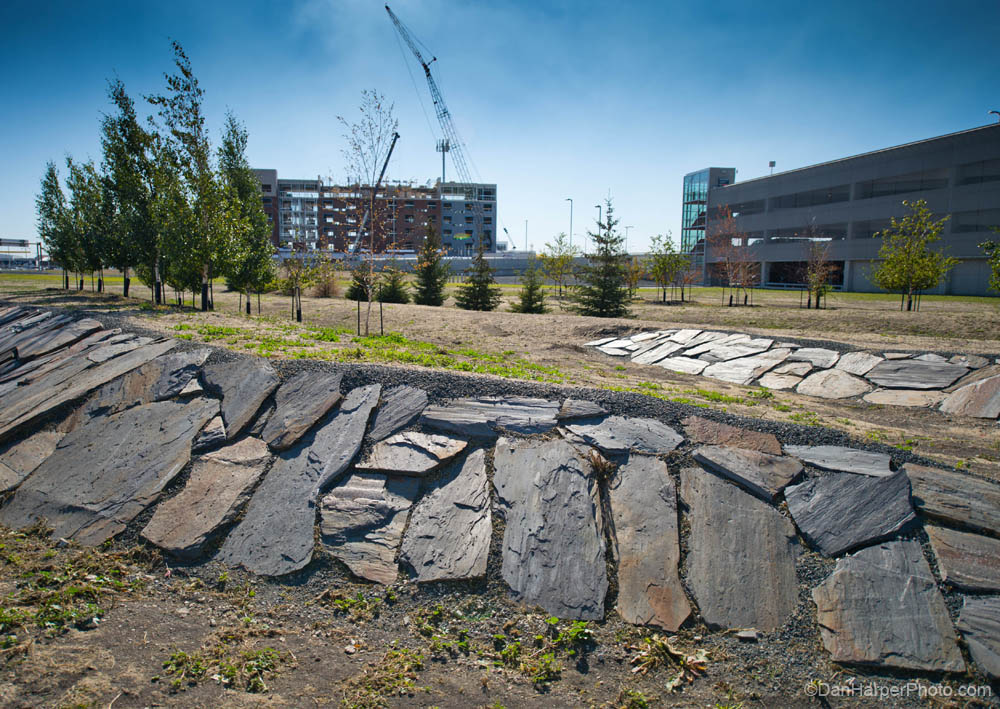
<point x="965" y="385"/>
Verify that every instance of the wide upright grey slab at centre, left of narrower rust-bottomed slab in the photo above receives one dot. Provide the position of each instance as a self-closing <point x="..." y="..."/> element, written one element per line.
<point x="553" y="545"/>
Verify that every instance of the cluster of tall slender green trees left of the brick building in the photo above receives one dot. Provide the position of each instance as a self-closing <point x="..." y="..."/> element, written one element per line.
<point x="161" y="204"/>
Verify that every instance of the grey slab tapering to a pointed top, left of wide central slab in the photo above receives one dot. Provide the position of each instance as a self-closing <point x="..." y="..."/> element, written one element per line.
<point x="448" y="538"/>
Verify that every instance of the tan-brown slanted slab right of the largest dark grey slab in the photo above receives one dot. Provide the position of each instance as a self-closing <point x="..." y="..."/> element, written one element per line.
<point x="219" y="485"/>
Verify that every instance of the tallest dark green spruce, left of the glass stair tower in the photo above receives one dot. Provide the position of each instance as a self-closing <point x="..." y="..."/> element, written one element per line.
<point x="603" y="291"/>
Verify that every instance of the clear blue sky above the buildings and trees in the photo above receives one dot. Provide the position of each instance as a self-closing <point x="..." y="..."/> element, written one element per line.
<point x="553" y="99"/>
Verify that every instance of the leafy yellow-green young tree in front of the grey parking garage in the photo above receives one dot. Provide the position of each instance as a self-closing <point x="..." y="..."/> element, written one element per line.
<point x="907" y="264"/>
